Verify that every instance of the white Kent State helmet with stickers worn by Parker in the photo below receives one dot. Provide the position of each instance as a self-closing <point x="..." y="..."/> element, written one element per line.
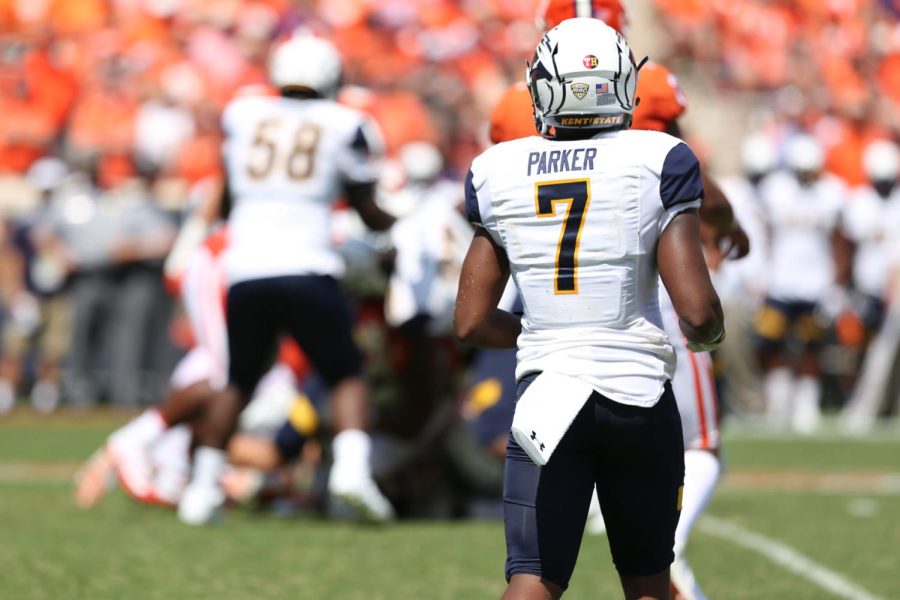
<point x="582" y="76"/>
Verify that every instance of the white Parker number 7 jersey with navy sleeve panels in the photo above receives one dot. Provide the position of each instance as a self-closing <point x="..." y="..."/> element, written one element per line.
<point x="580" y="221"/>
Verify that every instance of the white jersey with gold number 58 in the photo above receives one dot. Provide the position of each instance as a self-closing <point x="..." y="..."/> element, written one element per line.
<point x="287" y="161"/>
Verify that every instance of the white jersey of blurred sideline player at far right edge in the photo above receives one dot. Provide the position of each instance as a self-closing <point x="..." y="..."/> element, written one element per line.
<point x="872" y="223"/>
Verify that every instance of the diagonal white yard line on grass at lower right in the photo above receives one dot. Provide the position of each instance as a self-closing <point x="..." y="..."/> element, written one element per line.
<point x="786" y="557"/>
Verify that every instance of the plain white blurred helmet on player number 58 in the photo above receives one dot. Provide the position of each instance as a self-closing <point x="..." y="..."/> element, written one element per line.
<point x="306" y="62"/>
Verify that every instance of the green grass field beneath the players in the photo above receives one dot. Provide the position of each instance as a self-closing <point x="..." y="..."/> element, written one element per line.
<point x="835" y="501"/>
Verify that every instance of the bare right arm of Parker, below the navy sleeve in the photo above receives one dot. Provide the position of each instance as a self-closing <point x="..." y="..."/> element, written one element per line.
<point x="683" y="270"/>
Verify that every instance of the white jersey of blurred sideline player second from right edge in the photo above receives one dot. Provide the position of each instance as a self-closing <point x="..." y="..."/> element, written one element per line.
<point x="801" y="220"/>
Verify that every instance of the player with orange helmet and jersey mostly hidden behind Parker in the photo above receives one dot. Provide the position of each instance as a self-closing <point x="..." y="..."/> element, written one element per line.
<point x="661" y="104"/>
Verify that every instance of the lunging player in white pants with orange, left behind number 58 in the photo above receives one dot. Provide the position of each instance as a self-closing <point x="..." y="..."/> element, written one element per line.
<point x="150" y="454"/>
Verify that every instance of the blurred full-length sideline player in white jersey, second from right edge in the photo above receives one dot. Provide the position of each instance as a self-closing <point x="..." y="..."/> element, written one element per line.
<point x="801" y="209"/>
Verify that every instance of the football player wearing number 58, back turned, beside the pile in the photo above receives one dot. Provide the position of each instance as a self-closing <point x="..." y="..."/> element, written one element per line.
<point x="287" y="161"/>
